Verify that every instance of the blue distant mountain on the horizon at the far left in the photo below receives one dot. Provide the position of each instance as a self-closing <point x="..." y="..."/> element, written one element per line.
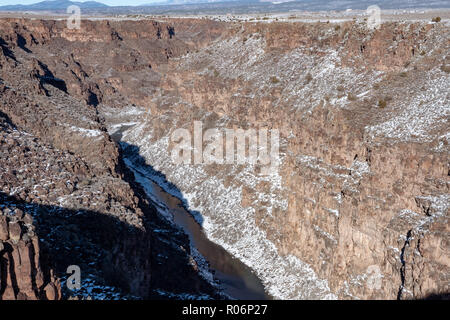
<point x="53" y="5"/>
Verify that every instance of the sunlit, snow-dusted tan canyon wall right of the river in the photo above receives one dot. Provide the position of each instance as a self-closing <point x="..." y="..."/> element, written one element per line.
<point x="363" y="118"/>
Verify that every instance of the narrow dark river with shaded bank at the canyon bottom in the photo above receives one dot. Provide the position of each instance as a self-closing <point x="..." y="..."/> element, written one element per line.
<point x="236" y="279"/>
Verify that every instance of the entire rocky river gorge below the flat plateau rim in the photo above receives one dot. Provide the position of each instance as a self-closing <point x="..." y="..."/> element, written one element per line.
<point x="358" y="207"/>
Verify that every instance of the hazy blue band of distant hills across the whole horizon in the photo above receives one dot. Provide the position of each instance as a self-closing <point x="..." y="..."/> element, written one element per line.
<point x="226" y="6"/>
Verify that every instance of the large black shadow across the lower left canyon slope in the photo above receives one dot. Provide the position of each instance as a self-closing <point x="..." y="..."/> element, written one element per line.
<point x="109" y="250"/>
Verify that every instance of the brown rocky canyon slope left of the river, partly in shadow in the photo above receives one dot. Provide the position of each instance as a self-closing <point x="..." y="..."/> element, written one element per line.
<point x="66" y="198"/>
